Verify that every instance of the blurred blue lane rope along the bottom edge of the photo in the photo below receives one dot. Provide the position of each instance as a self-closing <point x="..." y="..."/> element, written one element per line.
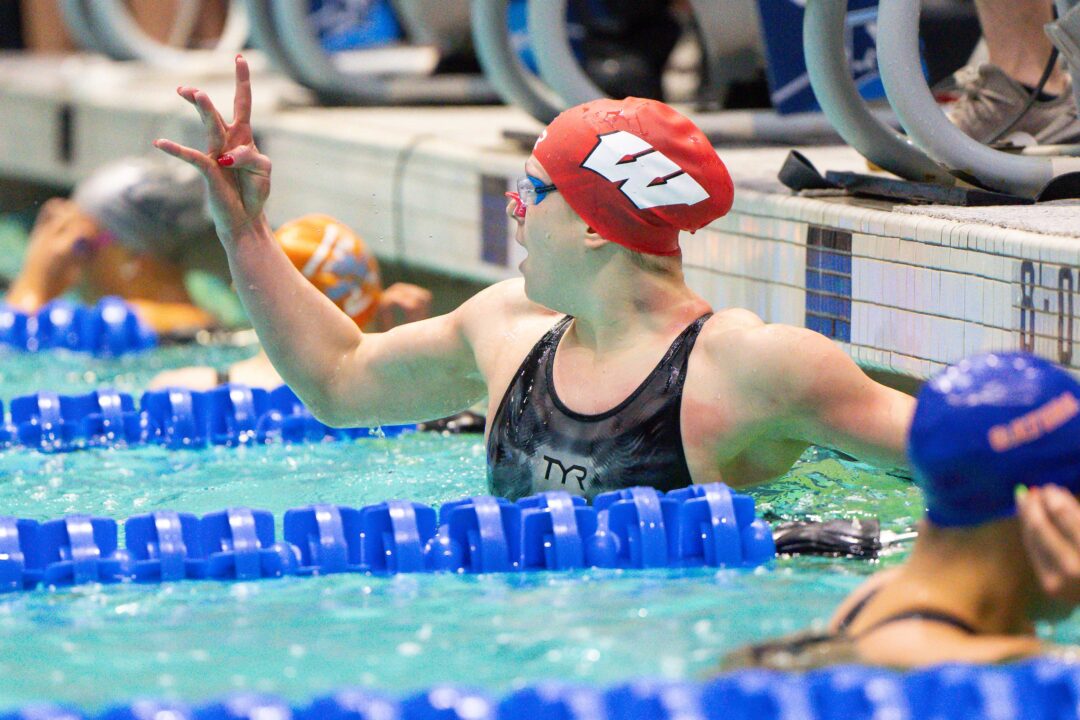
<point x="1038" y="689"/>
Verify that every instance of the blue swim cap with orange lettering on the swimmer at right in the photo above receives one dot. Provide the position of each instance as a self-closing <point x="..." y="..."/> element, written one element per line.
<point x="989" y="424"/>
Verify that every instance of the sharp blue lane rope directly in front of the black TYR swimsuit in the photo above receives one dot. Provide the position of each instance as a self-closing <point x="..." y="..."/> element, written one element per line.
<point x="550" y="532"/>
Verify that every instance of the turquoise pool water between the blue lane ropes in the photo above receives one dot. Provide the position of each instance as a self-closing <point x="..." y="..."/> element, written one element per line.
<point x="97" y="646"/>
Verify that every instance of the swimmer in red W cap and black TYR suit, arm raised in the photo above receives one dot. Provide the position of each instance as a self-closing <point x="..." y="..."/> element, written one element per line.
<point x="601" y="368"/>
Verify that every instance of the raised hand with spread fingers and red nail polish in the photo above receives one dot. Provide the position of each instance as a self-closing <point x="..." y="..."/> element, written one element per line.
<point x="237" y="173"/>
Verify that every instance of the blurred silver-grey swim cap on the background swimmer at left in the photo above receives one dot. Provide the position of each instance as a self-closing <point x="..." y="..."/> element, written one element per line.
<point x="152" y="206"/>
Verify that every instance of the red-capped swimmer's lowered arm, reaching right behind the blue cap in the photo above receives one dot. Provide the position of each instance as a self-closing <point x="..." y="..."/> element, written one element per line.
<point x="828" y="400"/>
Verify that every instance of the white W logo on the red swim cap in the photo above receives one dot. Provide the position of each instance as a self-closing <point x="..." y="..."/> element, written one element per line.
<point x="649" y="178"/>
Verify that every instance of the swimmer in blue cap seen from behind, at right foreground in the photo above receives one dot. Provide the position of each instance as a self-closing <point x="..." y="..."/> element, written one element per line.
<point x="983" y="429"/>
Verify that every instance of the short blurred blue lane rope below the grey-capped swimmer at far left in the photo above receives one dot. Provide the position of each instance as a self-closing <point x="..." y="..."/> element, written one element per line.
<point x="110" y="329"/>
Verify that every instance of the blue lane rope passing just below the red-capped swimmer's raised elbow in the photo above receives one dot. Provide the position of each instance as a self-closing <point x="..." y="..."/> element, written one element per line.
<point x="177" y="418"/>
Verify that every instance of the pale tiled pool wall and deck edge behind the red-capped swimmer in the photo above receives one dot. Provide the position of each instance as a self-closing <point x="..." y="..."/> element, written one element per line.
<point x="902" y="292"/>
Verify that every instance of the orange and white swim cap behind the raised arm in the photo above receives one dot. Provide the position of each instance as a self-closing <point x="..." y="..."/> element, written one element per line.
<point x="336" y="262"/>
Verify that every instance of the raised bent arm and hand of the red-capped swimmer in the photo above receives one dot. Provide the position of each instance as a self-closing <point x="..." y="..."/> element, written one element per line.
<point x="345" y="377"/>
